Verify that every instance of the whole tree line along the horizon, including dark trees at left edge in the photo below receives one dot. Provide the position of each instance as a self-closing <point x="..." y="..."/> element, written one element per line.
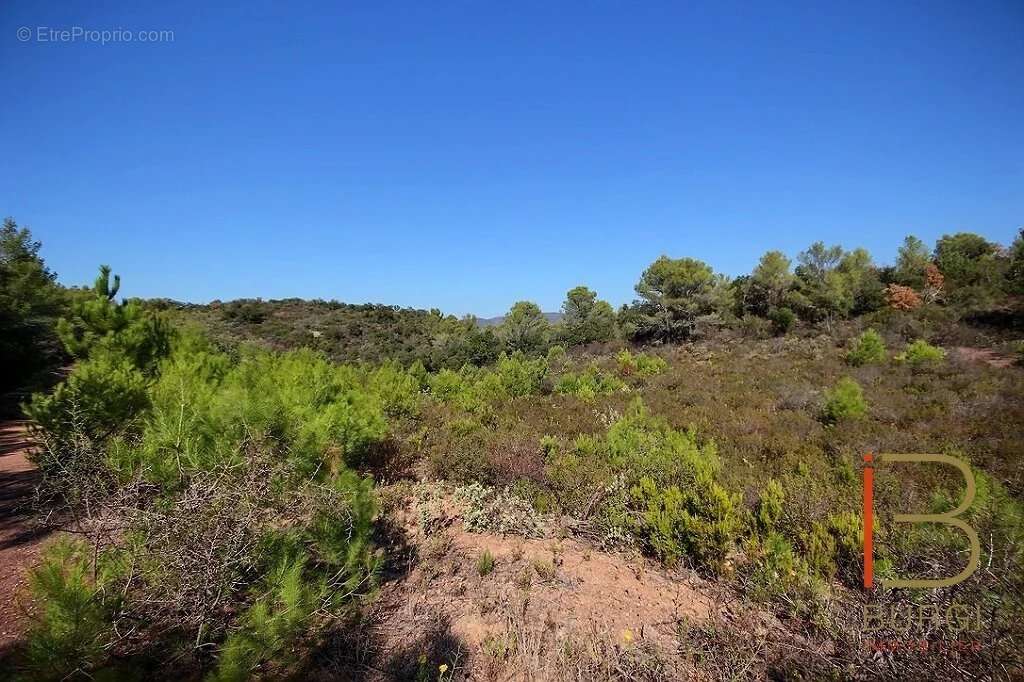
<point x="677" y="300"/>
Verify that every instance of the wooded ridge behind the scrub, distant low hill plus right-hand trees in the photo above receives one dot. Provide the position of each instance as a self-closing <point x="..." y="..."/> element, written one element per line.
<point x="963" y="279"/>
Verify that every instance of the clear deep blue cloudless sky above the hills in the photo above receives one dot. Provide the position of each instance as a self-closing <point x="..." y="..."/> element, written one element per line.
<point x="467" y="155"/>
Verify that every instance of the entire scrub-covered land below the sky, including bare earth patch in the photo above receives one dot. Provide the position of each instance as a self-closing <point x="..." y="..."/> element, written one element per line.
<point x="275" y="490"/>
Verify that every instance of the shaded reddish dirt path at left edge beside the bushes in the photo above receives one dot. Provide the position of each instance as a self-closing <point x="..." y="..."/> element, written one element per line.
<point x="20" y="540"/>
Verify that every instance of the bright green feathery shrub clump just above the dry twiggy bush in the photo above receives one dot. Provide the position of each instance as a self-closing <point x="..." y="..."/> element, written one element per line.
<point x="204" y="408"/>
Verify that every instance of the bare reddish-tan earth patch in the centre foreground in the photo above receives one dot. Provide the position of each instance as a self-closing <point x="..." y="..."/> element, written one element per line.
<point x="550" y="609"/>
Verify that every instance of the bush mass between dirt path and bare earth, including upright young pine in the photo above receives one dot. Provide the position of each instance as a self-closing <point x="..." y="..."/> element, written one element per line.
<point x="218" y="494"/>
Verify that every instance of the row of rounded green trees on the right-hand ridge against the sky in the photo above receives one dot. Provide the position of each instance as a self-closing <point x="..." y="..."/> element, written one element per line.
<point x="679" y="299"/>
